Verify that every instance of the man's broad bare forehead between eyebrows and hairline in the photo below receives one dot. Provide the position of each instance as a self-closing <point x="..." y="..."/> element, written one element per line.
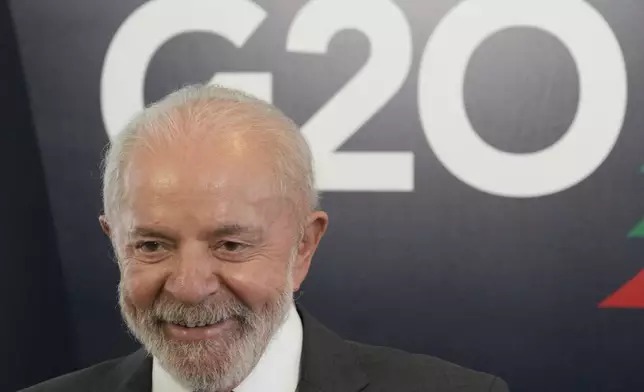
<point x="228" y="177"/>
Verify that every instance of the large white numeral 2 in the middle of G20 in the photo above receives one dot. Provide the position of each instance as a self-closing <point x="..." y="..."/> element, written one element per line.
<point x="360" y="98"/>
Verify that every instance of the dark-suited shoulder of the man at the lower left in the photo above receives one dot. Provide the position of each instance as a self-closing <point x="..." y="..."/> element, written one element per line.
<point x="81" y="380"/>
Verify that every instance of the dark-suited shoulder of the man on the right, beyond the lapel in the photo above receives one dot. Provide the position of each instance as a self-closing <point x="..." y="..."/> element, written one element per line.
<point x="385" y="365"/>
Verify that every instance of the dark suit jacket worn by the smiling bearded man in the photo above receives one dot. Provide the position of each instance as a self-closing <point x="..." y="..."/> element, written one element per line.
<point x="329" y="364"/>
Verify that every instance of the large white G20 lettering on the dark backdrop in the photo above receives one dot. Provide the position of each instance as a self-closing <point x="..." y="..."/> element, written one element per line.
<point x="574" y="157"/>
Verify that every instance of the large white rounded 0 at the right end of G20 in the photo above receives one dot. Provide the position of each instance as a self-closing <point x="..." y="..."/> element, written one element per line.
<point x="593" y="132"/>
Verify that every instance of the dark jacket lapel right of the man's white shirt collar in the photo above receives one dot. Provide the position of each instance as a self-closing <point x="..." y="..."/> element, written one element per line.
<point x="328" y="363"/>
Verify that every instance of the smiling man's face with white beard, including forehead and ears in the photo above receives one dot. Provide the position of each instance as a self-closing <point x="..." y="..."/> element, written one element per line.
<point x="209" y="255"/>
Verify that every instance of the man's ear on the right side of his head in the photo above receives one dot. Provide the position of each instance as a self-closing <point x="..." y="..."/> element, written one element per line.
<point x="314" y="229"/>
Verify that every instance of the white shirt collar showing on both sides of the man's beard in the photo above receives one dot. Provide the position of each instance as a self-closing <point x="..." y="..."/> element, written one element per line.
<point x="278" y="369"/>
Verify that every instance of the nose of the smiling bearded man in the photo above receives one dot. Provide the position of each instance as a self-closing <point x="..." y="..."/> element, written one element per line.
<point x="194" y="277"/>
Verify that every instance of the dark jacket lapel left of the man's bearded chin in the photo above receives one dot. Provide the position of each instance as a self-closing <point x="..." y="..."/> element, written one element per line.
<point x="132" y="374"/>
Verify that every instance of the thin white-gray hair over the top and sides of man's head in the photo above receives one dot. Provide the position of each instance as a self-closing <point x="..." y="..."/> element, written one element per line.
<point x="293" y="156"/>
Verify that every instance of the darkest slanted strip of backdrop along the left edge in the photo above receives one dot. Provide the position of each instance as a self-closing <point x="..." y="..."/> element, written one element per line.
<point x="37" y="340"/>
